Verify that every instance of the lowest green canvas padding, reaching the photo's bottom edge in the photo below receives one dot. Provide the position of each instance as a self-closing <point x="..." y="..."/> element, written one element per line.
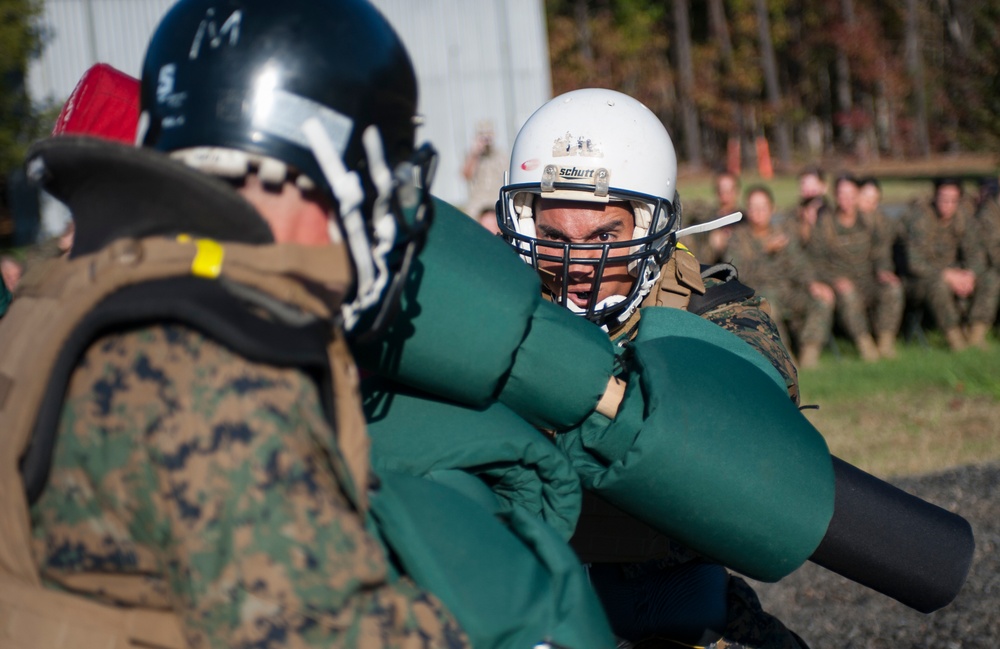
<point x="509" y="584"/>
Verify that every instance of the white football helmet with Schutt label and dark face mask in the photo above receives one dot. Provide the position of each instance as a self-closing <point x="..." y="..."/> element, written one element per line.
<point x="599" y="146"/>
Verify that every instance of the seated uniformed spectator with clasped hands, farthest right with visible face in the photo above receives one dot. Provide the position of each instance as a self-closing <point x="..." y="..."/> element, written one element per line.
<point x="947" y="261"/>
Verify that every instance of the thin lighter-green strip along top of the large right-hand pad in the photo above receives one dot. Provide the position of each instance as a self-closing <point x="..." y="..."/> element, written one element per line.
<point x="657" y="322"/>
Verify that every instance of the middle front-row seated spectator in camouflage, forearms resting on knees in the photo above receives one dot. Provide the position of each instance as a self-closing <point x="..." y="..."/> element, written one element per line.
<point x="854" y="255"/>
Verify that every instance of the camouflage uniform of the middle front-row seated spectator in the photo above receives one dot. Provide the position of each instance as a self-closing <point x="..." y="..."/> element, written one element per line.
<point x="857" y="253"/>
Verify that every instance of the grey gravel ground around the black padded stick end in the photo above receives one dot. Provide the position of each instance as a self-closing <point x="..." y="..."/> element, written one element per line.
<point x="830" y="612"/>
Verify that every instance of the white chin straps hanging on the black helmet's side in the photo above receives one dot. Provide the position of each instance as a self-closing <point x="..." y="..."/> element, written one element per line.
<point x="369" y="257"/>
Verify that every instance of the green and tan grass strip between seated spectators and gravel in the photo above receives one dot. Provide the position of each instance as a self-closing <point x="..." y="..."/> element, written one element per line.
<point x="927" y="410"/>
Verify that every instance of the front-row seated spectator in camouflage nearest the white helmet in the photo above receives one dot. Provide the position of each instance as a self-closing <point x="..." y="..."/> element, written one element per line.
<point x="775" y="265"/>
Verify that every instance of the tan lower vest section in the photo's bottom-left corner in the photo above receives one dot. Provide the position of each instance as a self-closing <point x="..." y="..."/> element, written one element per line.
<point x="37" y="618"/>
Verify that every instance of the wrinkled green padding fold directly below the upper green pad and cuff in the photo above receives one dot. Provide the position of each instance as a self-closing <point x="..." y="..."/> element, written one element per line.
<point x="417" y="434"/>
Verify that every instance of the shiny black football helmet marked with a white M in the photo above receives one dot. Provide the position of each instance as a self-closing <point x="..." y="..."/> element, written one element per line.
<point x="317" y="91"/>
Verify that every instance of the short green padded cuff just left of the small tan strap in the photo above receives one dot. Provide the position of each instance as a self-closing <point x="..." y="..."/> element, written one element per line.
<point x="561" y="369"/>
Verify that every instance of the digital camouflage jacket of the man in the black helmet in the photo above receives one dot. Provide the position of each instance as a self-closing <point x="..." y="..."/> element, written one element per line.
<point x="185" y="476"/>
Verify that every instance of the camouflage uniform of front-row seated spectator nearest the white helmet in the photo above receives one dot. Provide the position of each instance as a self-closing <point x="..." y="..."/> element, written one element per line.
<point x="783" y="278"/>
